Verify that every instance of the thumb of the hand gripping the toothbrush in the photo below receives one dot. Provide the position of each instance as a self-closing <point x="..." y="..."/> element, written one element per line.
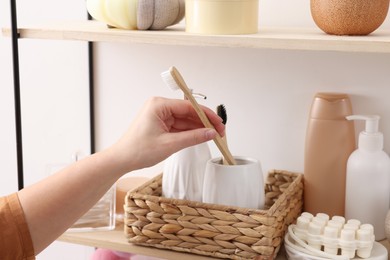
<point x="194" y="137"/>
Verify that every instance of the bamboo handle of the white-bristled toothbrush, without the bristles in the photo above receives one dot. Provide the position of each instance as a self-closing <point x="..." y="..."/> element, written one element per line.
<point x="218" y="139"/>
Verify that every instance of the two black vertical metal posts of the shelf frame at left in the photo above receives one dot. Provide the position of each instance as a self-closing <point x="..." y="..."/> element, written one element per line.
<point x="17" y="99"/>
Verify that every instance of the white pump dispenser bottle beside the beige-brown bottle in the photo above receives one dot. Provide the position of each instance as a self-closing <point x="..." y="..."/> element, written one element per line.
<point x="368" y="178"/>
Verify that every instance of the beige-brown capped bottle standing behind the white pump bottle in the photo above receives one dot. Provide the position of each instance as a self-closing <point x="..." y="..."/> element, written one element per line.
<point x="330" y="140"/>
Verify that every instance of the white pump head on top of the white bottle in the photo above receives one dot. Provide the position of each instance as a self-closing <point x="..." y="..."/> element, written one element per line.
<point x="370" y="138"/>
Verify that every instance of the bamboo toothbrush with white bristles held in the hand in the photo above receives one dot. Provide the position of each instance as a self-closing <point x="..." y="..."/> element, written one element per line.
<point x="175" y="81"/>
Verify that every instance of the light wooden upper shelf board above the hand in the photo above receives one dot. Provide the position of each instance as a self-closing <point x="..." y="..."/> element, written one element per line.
<point x="268" y="38"/>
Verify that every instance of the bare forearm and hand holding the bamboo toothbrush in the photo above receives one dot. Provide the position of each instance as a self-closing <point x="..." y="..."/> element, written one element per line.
<point x="162" y="127"/>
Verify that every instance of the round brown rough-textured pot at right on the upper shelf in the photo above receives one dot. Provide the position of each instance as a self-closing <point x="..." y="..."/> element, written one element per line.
<point x="349" y="17"/>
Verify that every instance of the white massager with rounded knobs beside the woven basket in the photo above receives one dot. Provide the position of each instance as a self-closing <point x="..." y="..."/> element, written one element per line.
<point x="333" y="238"/>
